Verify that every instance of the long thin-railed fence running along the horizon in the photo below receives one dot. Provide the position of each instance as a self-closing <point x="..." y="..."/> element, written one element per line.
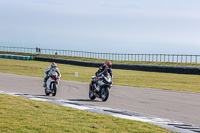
<point x="109" y="56"/>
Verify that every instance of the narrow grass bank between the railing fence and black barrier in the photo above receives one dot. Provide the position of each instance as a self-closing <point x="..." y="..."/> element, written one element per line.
<point x="103" y="60"/>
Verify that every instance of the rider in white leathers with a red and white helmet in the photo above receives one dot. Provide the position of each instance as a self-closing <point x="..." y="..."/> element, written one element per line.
<point x="50" y="71"/>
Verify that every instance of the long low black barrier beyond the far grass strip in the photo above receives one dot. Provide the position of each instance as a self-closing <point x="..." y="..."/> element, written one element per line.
<point x="149" y="68"/>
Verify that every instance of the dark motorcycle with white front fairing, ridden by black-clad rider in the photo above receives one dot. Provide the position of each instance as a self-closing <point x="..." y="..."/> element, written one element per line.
<point x="100" y="88"/>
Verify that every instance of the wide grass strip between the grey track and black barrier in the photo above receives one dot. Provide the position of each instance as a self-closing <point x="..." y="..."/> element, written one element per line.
<point x="178" y="82"/>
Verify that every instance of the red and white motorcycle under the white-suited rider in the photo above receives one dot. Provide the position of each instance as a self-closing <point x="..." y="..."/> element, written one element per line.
<point x="54" y="83"/>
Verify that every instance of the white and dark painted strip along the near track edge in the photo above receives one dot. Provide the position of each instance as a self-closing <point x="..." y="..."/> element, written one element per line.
<point x="170" y="125"/>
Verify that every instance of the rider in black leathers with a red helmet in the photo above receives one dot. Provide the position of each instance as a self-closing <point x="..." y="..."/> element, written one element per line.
<point x="105" y="67"/>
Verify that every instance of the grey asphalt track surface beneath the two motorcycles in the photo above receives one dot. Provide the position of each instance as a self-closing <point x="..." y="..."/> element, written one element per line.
<point x="166" y="104"/>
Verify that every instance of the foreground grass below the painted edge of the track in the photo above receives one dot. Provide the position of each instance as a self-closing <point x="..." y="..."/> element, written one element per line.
<point x="18" y="114"/>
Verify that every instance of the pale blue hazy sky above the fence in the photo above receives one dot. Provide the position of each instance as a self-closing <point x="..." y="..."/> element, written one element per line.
<point x="111" y="26"/>
